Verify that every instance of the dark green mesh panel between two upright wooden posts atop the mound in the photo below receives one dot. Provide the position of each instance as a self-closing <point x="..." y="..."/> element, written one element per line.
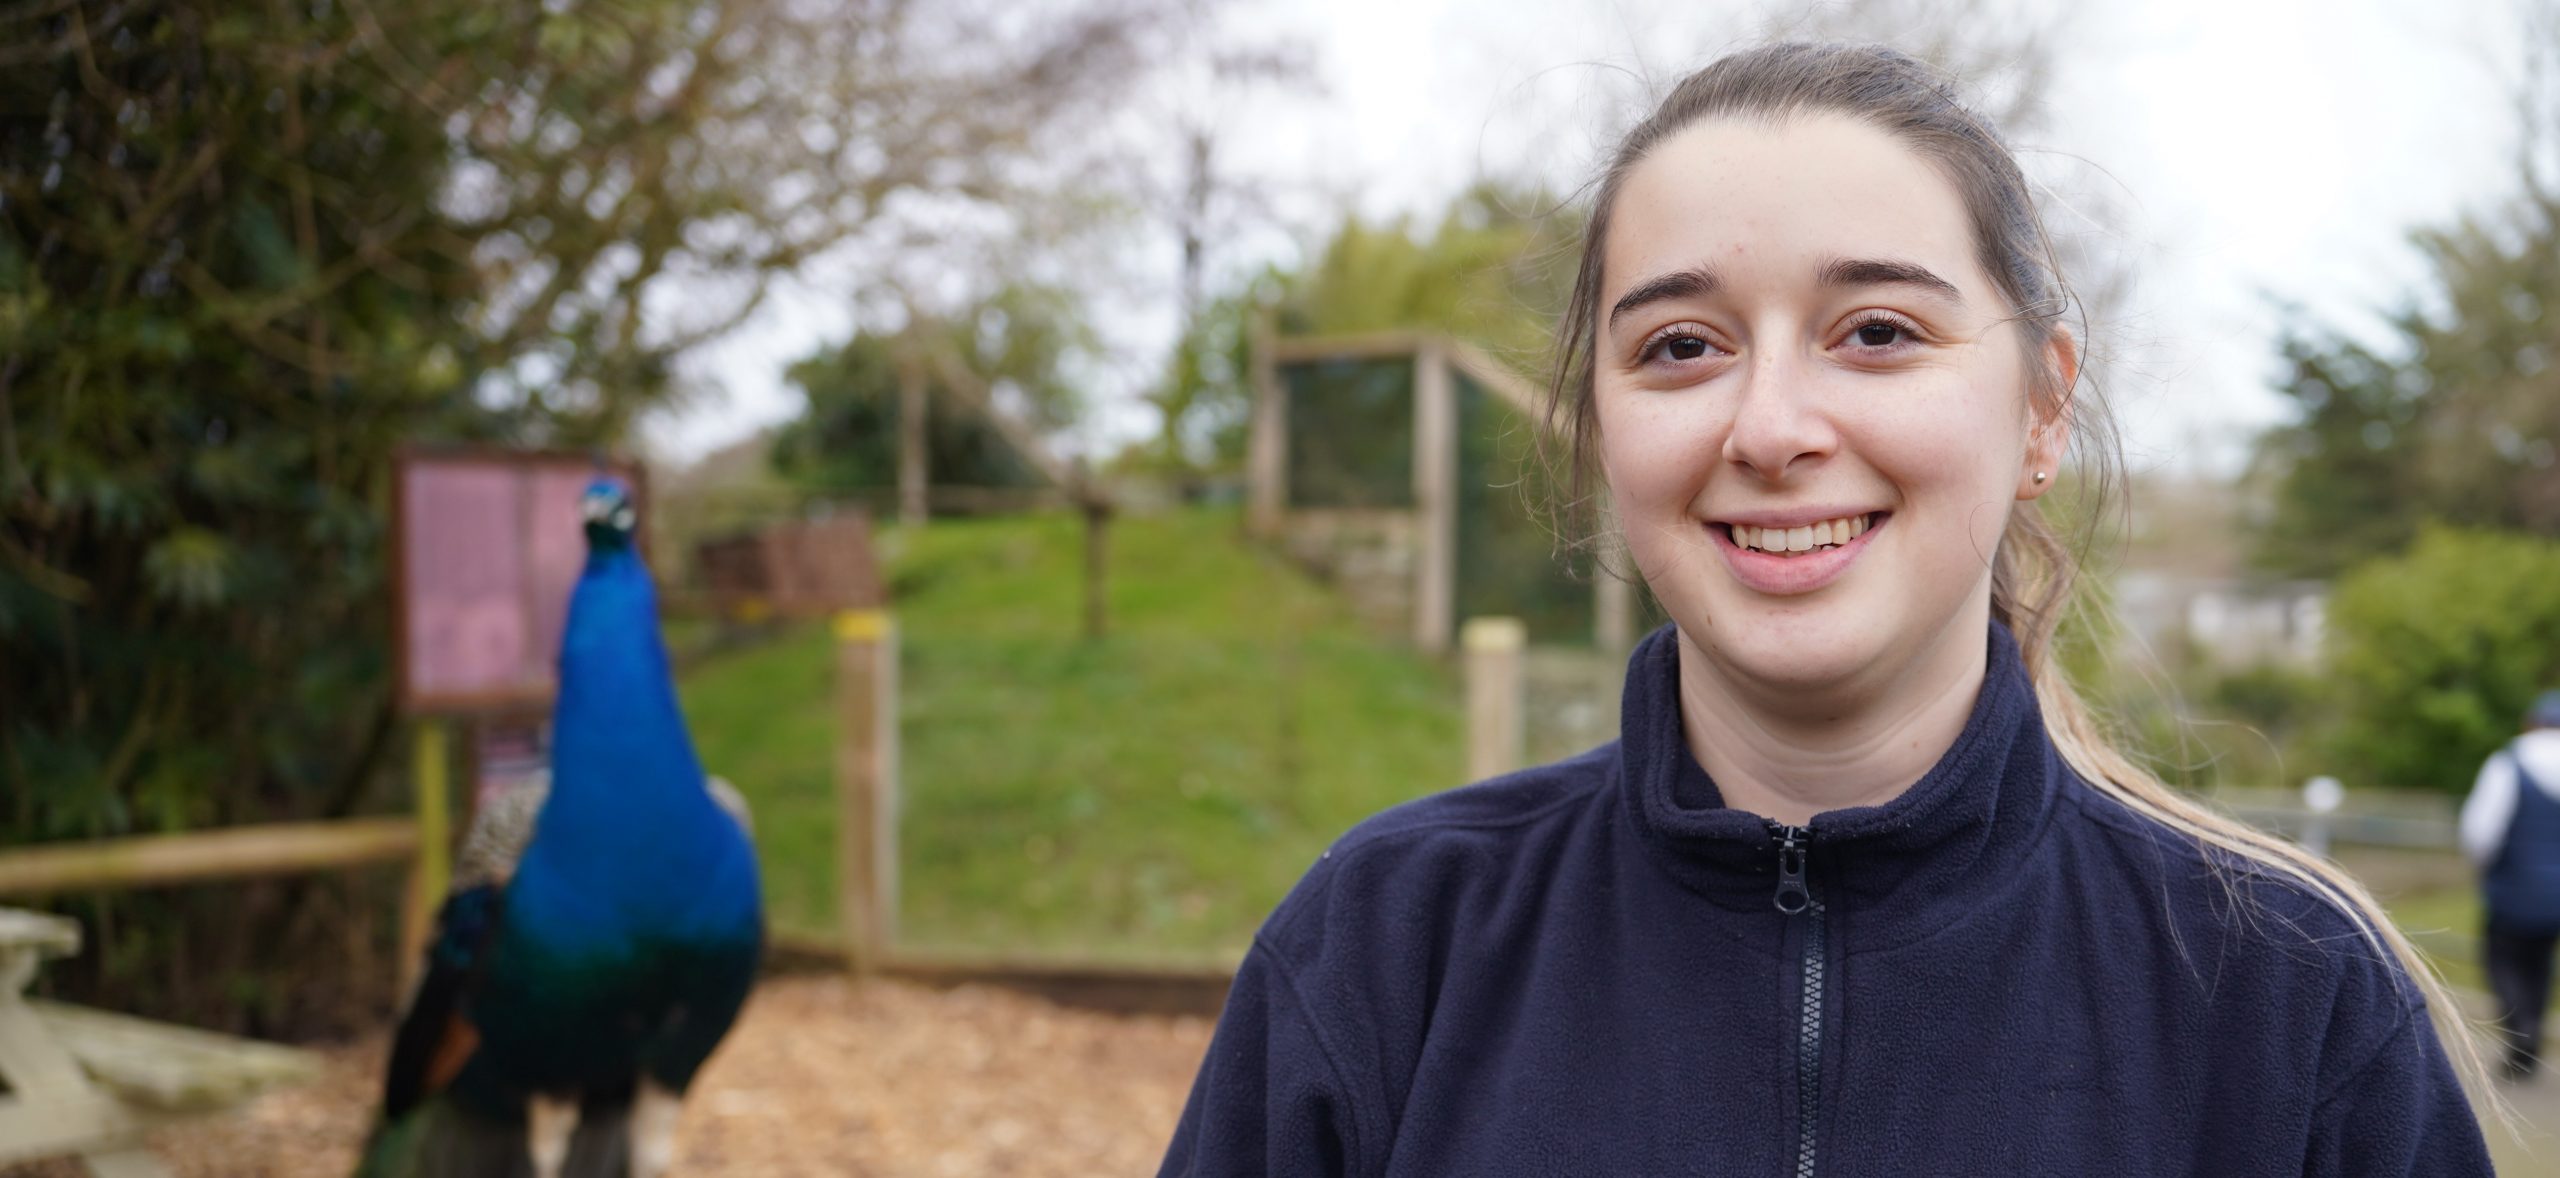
<point x="1350" y="434"/>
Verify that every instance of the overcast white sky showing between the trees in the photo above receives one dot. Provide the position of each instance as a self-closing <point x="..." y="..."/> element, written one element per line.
<point x="2257" y="147"/>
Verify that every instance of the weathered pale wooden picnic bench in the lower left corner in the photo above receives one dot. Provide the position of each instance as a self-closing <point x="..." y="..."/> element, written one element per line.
<point x="91" y="1085"/>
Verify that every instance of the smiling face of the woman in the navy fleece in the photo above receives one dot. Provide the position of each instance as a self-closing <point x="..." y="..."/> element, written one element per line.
<point x="1814" y="411"/>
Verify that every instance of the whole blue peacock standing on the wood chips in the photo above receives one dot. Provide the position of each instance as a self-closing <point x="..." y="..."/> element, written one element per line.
<point x="600" y="936"/>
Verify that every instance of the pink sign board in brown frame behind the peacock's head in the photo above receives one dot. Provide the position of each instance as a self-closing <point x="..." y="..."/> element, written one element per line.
<point x="488" y="549"/>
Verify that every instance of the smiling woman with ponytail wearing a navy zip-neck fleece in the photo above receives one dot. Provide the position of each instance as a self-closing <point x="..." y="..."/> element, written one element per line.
<point x="1857" y="890"/>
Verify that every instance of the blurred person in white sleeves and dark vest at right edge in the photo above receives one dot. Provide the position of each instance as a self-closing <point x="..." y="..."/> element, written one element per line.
<point x="2513" y="831"/>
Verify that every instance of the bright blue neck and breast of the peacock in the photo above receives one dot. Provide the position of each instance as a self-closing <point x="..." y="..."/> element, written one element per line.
<point x="628" y="811"/>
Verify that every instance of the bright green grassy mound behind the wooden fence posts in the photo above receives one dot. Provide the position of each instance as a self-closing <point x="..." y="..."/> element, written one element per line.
<point x="1146" y="795"/>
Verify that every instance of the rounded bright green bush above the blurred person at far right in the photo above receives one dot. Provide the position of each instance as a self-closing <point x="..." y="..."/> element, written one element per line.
<point x="2436" y="654"/>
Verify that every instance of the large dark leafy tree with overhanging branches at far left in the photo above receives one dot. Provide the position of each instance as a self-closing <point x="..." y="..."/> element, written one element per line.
<point x="247" y="252"/>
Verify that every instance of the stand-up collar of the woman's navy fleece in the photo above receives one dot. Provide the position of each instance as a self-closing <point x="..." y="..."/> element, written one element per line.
<point x="1893" y="872"/>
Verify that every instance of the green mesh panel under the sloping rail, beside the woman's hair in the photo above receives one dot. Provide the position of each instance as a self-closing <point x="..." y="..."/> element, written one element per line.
<point x="1509" y="560"/>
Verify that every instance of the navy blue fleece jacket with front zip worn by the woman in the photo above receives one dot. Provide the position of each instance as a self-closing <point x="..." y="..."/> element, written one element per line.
<point x="1583" y="969"/>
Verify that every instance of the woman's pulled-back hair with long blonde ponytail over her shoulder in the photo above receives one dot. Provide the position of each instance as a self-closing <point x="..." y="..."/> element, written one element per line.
<point x="2034" y="572"/>
